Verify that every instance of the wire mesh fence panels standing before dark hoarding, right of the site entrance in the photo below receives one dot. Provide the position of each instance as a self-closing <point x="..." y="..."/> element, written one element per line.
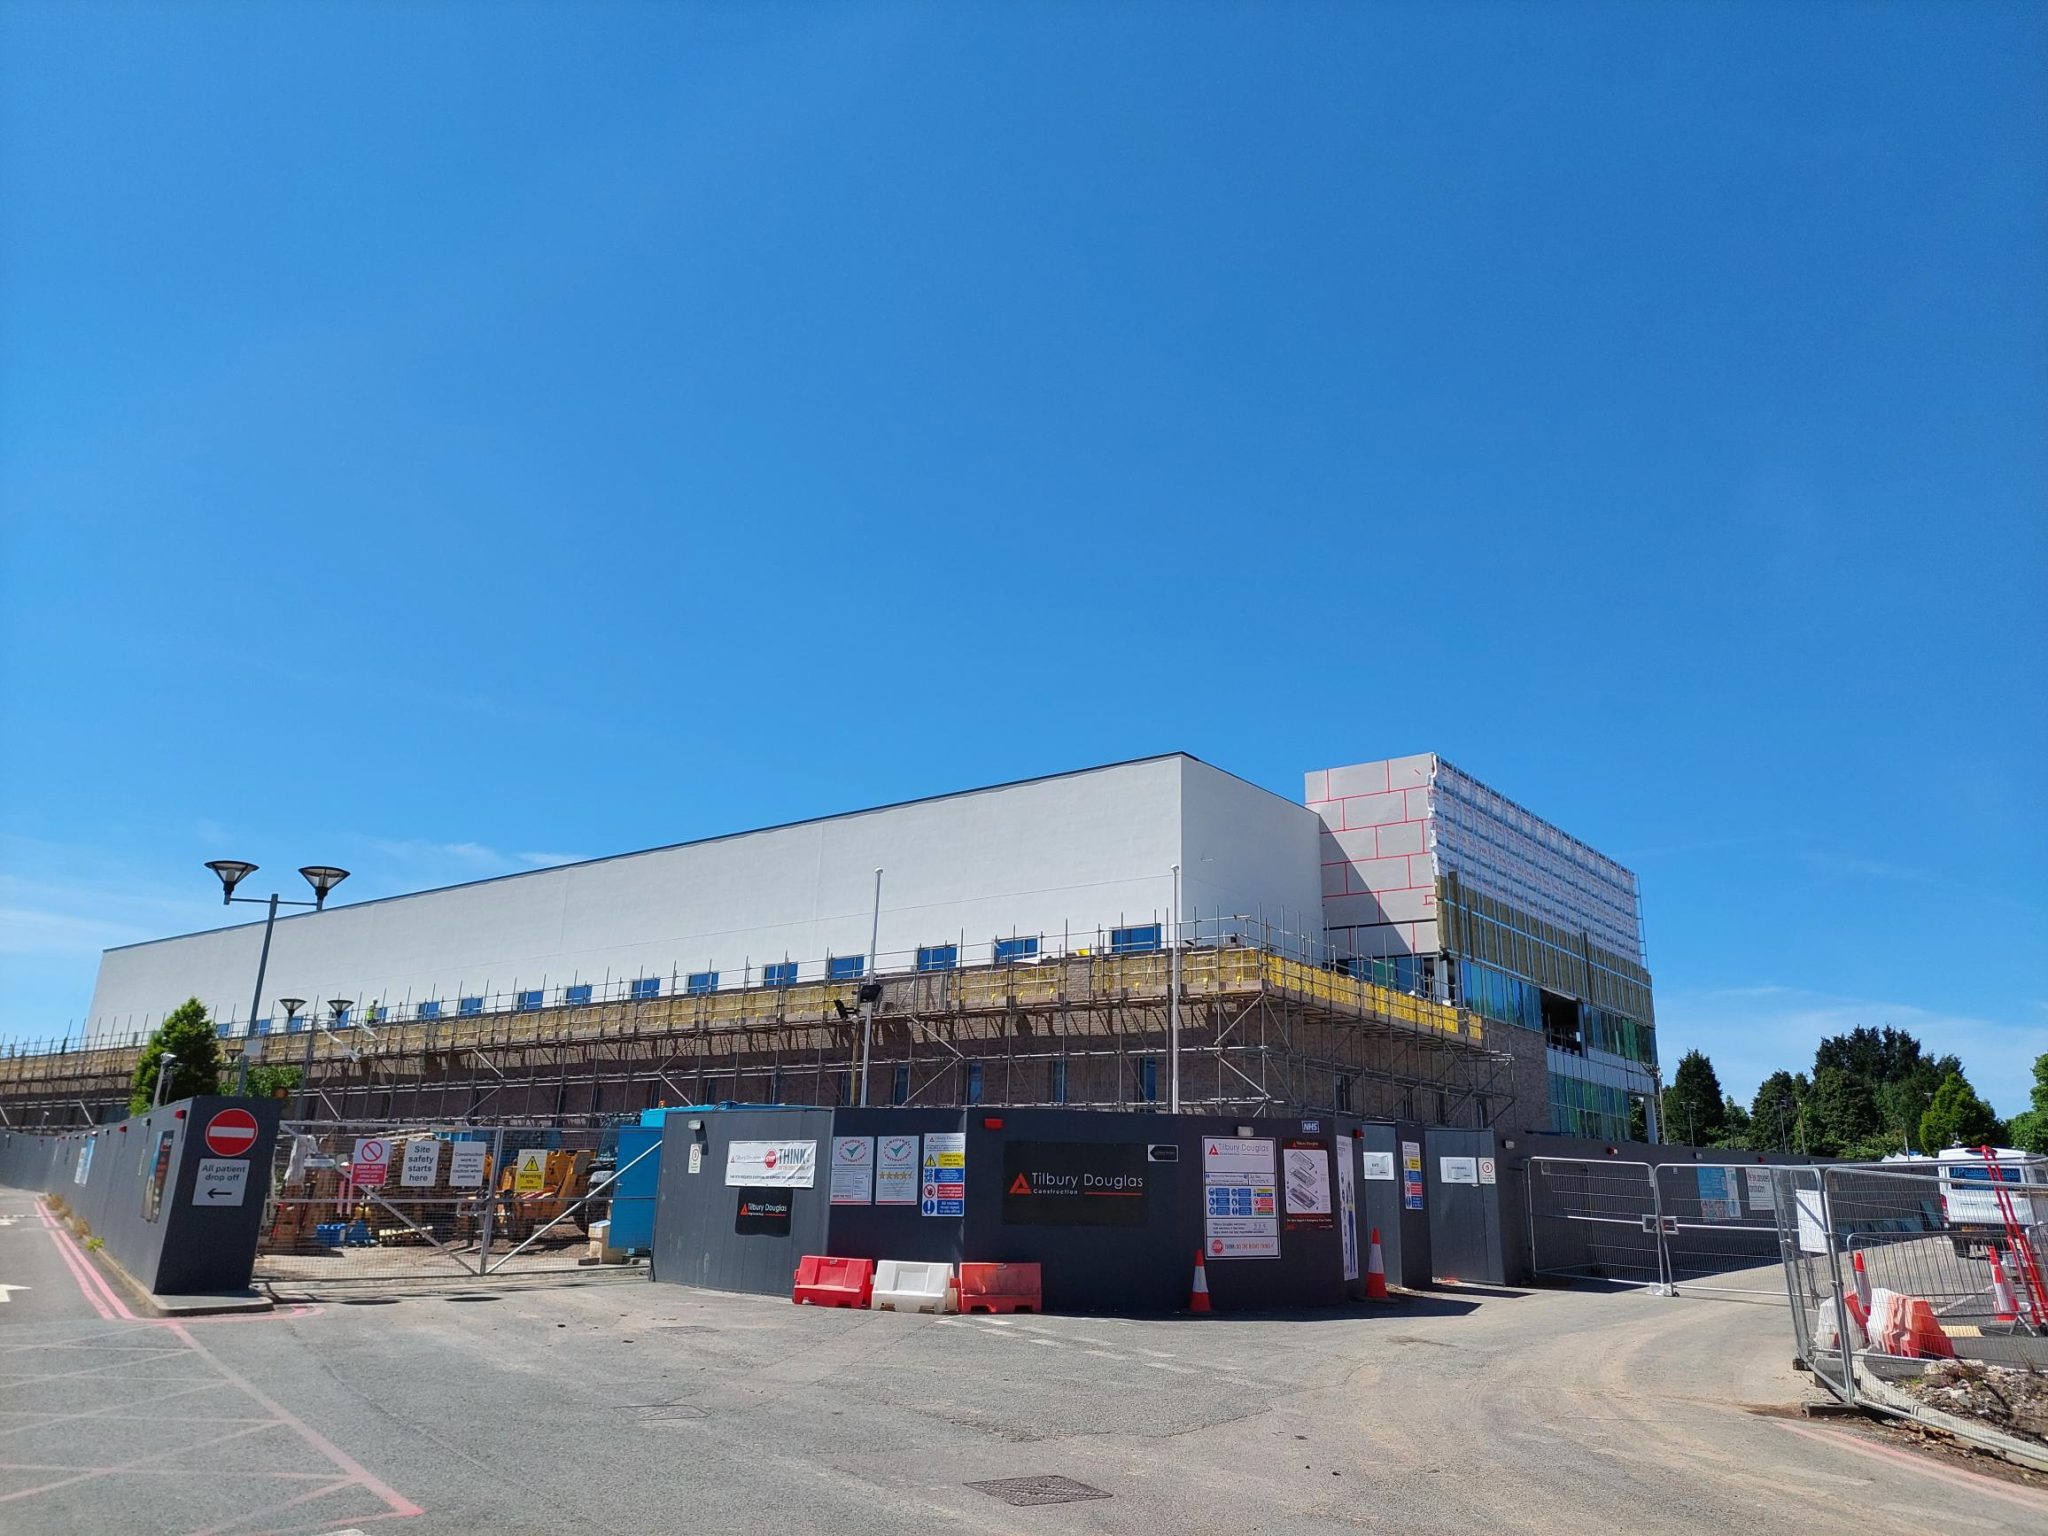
<point x="1697" y="1228"/>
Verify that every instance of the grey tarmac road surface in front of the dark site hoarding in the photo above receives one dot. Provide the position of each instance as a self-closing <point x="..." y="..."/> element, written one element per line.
<point x="611" y="1406"/>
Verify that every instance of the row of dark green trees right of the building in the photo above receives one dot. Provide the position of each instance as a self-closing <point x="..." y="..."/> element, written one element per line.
<point x="1871" y="1095"/>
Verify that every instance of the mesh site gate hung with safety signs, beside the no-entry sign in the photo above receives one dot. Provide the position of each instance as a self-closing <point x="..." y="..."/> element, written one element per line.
<point x="407" y="1201"/>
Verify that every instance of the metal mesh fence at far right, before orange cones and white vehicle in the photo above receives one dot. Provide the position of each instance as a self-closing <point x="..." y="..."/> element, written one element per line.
<point x="1854" y="1238"/>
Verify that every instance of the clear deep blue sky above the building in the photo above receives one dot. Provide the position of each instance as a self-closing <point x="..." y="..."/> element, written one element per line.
<point x="445" y="439"/>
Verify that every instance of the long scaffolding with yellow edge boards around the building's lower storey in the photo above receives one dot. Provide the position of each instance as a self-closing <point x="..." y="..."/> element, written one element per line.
<point x="1261" y="1035"/>
